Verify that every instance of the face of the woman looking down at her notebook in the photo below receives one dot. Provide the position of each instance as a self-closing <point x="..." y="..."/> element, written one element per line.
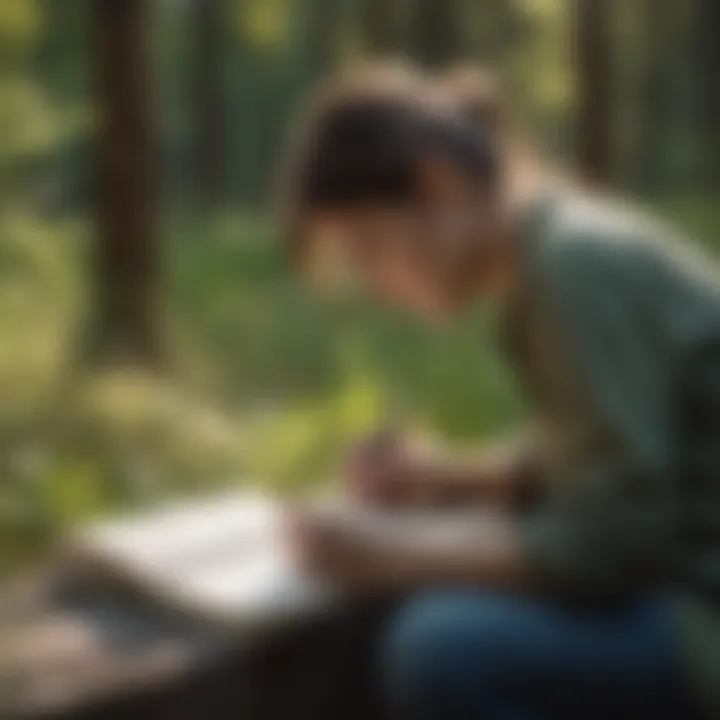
<point x="413" y="257"/>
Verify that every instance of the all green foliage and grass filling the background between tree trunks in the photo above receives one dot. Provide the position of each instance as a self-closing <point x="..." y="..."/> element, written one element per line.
<point x="271" y="381"/>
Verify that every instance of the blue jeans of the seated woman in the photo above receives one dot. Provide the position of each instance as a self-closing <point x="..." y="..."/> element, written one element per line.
<point x="466" y="655"/>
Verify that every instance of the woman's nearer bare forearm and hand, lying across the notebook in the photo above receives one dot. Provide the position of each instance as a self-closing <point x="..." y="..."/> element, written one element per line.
<point x="388" y="554"/>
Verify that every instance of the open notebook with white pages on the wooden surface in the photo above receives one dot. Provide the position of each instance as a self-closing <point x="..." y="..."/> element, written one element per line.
<point x="222" y="560"/>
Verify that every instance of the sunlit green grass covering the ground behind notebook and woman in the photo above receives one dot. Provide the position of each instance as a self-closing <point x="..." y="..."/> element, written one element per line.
<point x="271" y="381"/>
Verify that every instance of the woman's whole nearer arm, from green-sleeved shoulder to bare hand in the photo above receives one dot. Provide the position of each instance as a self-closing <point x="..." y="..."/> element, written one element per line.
<point x="610" y="527"/>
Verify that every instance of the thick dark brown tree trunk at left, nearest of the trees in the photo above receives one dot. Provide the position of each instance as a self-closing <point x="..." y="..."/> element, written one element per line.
<point x="126" y="166"/>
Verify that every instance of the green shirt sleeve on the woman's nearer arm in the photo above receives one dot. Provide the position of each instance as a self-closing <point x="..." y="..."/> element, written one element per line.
<point x="609" y="527"/>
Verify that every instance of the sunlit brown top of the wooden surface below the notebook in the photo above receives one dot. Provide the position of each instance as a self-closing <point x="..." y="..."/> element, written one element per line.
<point x="63" y="651"/>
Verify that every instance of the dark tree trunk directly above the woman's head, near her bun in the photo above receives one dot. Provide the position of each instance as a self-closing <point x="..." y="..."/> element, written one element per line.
<point x="437" y="37"/>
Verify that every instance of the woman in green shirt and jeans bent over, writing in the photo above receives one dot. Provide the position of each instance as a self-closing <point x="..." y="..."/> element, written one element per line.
<point x="599" y="597"/>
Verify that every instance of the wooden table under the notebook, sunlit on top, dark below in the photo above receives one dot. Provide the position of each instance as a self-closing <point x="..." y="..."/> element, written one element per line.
<point x="69" y="654"/>
